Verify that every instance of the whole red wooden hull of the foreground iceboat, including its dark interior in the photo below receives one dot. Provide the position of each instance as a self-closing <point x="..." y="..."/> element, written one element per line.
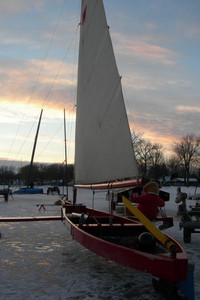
<point x="117" y="242"/>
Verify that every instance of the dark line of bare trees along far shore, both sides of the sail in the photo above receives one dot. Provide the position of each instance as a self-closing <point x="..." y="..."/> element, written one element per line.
<point x="152" y="164"/>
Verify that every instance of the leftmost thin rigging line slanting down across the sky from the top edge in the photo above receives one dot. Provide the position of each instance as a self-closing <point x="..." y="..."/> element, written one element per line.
<point x="35" y="83"/>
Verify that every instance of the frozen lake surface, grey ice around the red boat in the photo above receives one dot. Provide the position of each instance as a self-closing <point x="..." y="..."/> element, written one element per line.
<point x="39" y="260"/>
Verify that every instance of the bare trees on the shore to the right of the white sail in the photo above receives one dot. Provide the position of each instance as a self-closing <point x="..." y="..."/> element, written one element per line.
<point x="152" y="164"/>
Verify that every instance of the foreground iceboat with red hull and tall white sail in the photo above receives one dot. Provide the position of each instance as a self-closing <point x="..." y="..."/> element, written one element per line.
<point x="104" y="158"/>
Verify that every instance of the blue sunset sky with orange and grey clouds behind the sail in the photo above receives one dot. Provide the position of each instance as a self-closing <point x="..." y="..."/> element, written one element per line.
<point x="157" y="49"/>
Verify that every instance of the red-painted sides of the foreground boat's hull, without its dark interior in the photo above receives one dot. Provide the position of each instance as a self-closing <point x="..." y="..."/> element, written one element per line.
<point x="162" y="265"/>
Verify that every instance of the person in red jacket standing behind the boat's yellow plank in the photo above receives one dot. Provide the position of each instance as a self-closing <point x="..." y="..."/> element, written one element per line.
<point x="149" y="201"/>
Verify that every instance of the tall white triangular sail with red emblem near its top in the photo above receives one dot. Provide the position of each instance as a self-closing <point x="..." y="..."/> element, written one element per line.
<point x="104" y="151"/>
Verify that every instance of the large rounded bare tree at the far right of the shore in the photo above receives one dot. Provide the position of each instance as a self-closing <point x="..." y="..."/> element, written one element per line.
<point x="187" y="151"/>
